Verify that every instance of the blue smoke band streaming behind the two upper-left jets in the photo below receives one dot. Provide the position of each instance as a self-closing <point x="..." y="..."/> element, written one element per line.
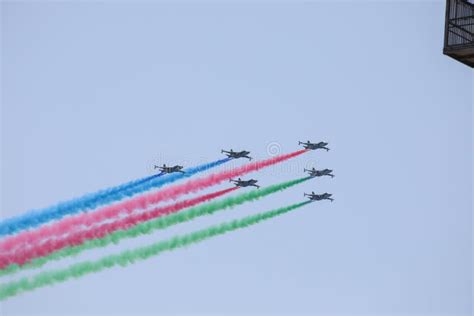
<point x="90" y="201"/>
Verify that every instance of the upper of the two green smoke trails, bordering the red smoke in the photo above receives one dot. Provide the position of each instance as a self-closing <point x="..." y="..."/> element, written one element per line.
<point x="159" y="223"/>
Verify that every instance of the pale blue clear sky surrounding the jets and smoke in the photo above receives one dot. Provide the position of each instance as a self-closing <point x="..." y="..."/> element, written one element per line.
<point x="95" y="93"/>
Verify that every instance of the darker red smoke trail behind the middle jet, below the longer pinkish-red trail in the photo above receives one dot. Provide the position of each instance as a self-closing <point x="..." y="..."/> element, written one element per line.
<point x="27" y="254"/>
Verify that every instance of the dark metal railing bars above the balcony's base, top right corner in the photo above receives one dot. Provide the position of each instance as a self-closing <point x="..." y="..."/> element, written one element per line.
<point x="459" y="29"/>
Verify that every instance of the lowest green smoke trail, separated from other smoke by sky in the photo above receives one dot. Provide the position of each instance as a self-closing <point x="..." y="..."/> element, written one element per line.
<point x="130" y="256"/>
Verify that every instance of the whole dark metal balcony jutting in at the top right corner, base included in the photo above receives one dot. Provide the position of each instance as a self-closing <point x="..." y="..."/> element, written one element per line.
<point x="459" y="31"/>
